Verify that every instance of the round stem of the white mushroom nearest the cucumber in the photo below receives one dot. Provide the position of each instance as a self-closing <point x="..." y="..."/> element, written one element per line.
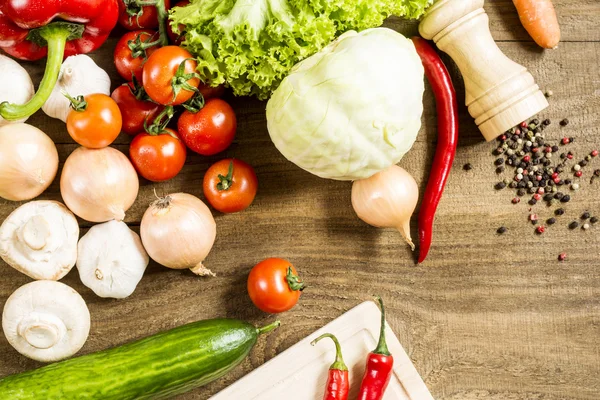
<point x="41" y="330"/>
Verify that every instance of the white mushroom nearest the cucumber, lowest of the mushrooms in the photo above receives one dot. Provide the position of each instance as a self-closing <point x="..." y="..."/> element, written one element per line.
<point x="46" y="321"/>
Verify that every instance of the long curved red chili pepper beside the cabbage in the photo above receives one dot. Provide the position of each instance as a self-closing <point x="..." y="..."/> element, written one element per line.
<point x="447" y="110"/>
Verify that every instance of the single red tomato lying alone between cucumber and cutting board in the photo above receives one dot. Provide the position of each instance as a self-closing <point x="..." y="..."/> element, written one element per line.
<point x="274" y="285"/>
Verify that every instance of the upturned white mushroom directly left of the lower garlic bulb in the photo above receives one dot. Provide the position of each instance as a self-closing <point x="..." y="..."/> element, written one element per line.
<point x="39" y="239"/>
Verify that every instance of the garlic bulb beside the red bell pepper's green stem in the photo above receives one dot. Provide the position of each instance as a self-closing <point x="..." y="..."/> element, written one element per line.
<point x="79" y="76"/>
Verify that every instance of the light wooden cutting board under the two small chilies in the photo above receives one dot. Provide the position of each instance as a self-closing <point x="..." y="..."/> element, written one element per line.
<point x="300" y="372"/>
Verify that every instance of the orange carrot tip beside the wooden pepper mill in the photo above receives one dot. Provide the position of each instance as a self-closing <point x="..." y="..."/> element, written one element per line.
<point x="539" y="19"/>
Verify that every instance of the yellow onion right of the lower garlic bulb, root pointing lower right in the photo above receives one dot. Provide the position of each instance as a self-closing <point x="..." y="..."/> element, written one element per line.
<point x="178" y="231"/>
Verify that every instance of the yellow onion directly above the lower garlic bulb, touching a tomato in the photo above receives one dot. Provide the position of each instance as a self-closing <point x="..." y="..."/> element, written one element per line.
<point x="99" y="185"/>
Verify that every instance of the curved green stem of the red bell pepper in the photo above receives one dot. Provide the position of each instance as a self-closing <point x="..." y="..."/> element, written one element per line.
<point x="56" y="36"/>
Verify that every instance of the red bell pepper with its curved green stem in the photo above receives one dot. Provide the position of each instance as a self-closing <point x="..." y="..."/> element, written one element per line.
<point x="28" y="32"/>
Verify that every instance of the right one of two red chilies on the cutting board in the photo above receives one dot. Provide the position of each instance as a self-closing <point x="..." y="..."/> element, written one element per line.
<point x="379" y="367"/>
